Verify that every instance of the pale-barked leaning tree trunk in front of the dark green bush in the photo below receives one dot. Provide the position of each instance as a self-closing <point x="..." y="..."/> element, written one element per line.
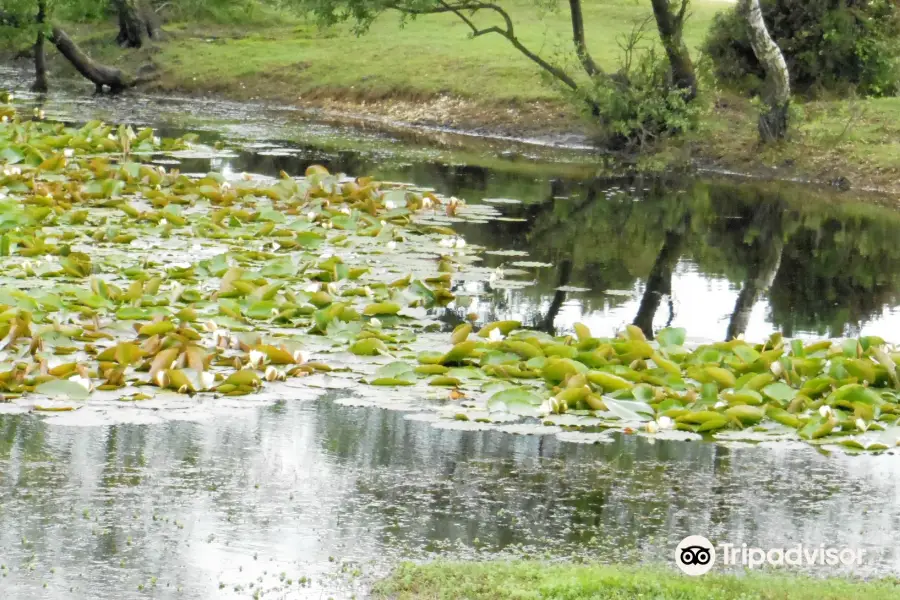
<point x="773" y="124"/>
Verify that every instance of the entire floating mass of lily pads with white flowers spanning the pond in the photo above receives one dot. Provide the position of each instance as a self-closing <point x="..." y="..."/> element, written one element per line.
<point x="125" y="281"/>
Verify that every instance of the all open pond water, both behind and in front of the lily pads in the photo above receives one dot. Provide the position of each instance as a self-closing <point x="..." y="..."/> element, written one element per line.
<point x="313" y="496"/>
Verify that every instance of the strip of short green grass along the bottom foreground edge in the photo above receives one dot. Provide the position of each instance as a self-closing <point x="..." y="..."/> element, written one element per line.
<point x="524" y="580"/>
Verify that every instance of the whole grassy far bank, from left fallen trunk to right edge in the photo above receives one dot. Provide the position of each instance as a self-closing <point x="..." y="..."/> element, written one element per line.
<point x="431" y="73"/>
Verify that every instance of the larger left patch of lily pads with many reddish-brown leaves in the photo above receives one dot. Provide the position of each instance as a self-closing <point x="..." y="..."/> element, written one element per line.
<point x="119" y="275"/>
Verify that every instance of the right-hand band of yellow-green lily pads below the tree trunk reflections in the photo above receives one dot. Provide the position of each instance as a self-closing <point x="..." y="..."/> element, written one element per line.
<point x="830" y="392"/>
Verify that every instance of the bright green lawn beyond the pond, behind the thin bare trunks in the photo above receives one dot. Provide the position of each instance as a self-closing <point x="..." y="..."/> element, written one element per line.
<point x="431" y="55"/>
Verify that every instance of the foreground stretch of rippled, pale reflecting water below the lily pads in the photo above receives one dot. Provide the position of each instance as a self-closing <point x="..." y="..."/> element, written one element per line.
<point x="244" y="498"/>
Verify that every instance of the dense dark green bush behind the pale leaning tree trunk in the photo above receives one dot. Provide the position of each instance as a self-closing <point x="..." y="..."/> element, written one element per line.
<point x="840" y="46"/>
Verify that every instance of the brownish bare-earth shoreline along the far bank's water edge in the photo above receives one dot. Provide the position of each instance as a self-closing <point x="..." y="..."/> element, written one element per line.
<point x="697" y="151"/>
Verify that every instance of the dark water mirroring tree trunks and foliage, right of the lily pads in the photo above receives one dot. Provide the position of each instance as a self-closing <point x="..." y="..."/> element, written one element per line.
<point x="722" y="259"/>
